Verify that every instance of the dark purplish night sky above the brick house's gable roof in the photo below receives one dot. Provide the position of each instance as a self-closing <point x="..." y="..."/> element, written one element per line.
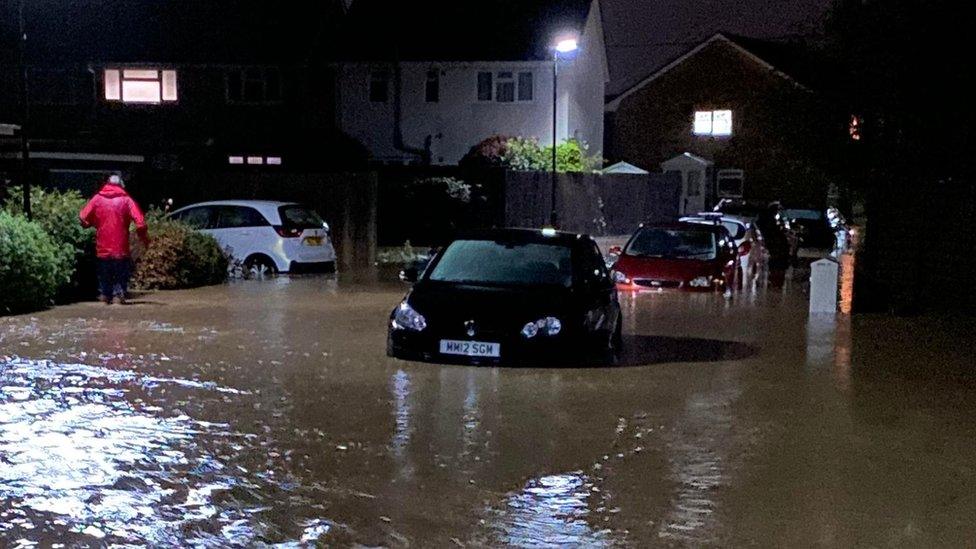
<point x="678" y="24"/>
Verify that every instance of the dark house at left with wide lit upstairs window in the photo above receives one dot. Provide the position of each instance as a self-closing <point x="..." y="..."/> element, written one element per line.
<point x="144" y="85"/>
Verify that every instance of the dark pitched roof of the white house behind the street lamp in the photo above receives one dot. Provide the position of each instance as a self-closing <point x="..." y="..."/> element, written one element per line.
<point x="458" y="30"/>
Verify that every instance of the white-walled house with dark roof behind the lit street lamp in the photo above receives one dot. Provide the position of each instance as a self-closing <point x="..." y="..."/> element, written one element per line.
<point x="424" y="82"/>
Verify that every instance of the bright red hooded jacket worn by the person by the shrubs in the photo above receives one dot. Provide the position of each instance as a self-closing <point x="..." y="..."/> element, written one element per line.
<point x="110" y="212"/>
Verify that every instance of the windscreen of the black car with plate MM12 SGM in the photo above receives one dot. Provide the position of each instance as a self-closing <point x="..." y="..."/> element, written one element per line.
<point x="504" y="264"/>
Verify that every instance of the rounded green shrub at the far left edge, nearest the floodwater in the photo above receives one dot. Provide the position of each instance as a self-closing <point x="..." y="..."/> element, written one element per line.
<point x="32" y="267"/>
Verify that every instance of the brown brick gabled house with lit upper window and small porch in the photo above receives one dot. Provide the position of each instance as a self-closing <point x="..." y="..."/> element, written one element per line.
<point x="728" y="116"/>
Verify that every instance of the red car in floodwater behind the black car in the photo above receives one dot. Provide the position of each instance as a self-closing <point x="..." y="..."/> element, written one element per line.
<point x="685" y="256"/>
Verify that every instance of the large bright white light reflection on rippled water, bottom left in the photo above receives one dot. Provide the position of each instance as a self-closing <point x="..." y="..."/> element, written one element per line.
<point x="85" y="457"/>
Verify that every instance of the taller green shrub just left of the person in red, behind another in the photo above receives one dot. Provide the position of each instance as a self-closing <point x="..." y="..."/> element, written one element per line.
<point x="57" y="213"/>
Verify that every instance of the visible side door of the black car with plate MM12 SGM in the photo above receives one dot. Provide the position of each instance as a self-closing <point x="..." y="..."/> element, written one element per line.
<point x="599" y="293"/>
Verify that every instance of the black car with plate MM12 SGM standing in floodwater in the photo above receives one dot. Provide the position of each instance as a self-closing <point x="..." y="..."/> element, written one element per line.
<point x="510" y="295"/>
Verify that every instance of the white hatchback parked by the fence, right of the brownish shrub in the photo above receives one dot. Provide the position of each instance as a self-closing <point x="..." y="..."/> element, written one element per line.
<point x="267" y="237"/>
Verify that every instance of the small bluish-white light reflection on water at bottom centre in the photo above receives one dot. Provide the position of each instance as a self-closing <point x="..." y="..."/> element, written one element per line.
<point x="550" y="511"/>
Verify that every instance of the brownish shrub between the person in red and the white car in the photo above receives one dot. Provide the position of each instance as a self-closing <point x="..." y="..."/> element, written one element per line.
<point x="178" y="257"/>
